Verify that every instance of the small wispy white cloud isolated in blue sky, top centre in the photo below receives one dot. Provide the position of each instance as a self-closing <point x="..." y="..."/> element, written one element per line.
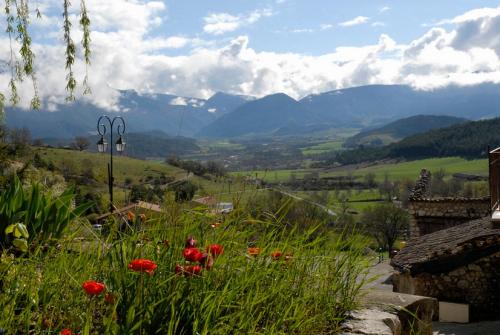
<point x="220" y="23"/>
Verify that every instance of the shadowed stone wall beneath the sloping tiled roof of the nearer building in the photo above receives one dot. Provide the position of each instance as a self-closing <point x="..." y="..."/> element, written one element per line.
<point x="477" y="284"/>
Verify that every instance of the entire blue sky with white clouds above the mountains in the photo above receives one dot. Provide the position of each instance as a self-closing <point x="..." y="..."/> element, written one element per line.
<point x="299" y="47"/>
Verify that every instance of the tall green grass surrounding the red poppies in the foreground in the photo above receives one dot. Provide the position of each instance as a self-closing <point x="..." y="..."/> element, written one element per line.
<point x="310" y="293"/>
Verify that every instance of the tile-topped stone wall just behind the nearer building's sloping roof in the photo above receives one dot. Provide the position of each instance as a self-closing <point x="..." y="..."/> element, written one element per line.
<point x="430" y="215"/>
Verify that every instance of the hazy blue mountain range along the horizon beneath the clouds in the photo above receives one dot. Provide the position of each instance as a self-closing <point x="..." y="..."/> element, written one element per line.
<point x="228" y="116"/>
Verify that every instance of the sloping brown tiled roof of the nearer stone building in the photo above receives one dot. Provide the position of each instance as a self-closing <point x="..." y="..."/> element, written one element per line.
<point x="447" y="249"/>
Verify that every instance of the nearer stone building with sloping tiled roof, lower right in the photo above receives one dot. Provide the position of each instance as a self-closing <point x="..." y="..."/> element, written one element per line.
<point x="460" y="264"/>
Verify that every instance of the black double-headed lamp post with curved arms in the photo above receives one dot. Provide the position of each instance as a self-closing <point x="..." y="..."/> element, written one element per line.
<point x="102" y="146"/>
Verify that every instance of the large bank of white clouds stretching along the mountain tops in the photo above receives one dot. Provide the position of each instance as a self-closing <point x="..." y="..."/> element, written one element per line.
<point x="125" y="58"/>
